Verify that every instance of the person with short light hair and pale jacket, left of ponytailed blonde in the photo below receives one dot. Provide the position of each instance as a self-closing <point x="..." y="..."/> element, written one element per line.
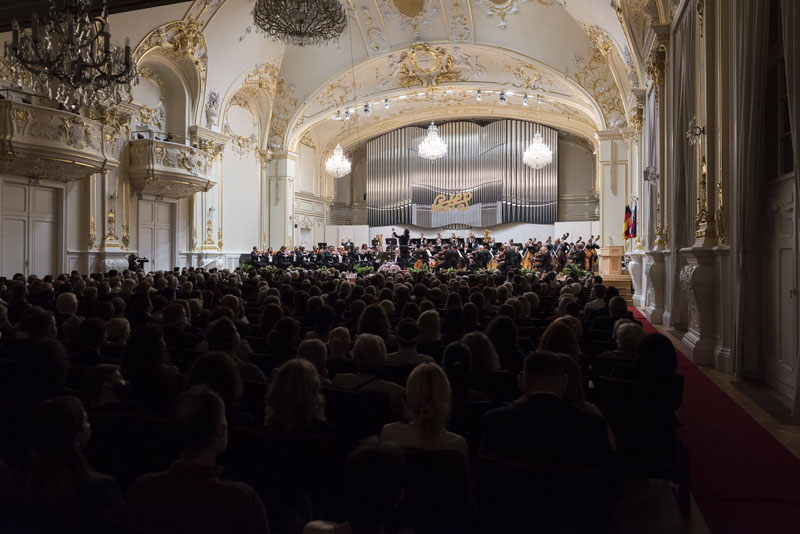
<point x="369" y="355"/>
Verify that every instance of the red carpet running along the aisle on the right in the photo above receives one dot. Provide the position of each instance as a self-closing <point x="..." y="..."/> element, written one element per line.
<point x="743" y="479"/>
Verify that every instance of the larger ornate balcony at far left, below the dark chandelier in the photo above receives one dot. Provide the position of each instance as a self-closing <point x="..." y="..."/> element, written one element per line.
<point x="43" y="142"/>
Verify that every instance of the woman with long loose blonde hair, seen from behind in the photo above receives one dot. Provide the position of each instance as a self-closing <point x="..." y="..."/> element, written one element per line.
<point x="294" y="401"/>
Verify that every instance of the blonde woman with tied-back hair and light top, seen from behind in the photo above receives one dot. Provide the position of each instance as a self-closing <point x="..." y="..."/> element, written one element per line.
<point x="428" y="395"/>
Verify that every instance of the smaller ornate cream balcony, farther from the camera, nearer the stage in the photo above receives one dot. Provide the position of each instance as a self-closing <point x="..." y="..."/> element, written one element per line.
<point x="167" y="166"/>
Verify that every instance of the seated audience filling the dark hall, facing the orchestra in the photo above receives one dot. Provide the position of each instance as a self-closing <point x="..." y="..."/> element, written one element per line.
<point x="455" y="341"/>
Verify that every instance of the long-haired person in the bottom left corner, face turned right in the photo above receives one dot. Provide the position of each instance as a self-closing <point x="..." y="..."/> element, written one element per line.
<point x="54" y="489"/>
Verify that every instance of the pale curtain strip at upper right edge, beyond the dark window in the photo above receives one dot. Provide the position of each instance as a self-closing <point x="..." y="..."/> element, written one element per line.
<point x="790" y="13"/>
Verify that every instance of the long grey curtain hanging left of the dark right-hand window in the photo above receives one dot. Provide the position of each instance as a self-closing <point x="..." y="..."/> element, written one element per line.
<point x="748" y="52"/>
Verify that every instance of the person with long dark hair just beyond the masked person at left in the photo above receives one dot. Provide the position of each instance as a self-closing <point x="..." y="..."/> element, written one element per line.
<point x="153" y="380"/>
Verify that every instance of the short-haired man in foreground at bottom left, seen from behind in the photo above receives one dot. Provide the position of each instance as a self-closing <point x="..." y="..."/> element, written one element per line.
<point x="191" y="497"/>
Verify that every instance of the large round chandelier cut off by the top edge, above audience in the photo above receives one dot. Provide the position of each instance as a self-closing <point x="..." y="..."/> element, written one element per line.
<point x="300" y="22"/>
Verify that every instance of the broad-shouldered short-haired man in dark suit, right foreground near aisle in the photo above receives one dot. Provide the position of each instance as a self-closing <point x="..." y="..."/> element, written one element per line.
<point x="542" y="427"/>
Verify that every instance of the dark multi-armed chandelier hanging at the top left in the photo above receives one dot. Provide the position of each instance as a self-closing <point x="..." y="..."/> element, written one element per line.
<point x="68" y="56"/>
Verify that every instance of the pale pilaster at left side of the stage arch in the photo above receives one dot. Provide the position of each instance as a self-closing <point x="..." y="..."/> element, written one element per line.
<point x="280" y="198"/>
